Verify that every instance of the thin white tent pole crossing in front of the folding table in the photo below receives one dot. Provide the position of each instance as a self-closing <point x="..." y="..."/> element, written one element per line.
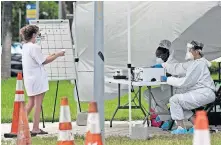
<point x="129" y="66"/>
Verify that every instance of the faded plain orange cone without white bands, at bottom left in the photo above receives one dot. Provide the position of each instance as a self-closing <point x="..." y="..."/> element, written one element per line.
<point x="24" y="136"/>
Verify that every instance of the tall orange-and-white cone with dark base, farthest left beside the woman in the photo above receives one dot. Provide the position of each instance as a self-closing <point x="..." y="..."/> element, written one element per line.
<point x="19" y="98"/>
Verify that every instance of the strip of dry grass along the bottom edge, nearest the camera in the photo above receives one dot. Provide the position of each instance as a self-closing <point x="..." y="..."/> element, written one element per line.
<point x="175" y="140"/>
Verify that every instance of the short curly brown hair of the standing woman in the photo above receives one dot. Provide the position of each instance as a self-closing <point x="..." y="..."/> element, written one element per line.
<point x="27" y="32"/>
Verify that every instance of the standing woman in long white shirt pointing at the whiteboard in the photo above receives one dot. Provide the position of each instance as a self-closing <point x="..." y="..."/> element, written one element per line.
<point x="35" y="76"/>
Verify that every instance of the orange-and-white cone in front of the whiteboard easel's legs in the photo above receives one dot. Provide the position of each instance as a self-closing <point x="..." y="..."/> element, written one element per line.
<point x="65" y="136"/>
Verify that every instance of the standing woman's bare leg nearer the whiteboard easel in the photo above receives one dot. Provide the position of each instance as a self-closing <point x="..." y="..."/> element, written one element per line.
<point x="38" y="102"/>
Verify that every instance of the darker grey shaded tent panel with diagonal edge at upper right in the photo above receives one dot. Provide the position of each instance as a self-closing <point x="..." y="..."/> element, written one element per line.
<point x="207" y="29"/>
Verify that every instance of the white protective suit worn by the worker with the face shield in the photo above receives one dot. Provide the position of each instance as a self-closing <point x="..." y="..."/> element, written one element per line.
<point x="196" y="87"/>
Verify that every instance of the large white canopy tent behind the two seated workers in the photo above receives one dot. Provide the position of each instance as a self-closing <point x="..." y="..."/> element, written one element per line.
<point x="151" y="22"/>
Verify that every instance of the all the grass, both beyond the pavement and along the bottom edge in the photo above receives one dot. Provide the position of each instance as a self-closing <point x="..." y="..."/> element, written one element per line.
<point x="66" y="89"/>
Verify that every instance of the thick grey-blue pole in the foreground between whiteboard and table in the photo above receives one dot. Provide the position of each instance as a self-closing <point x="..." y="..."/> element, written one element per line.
<point x="99" y="62"/>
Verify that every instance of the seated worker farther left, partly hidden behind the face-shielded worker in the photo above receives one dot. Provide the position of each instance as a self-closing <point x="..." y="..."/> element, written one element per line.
<point x="161" y="94"/>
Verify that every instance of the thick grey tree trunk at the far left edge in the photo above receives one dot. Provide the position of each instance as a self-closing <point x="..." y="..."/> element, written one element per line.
<point x="6" y="39"/>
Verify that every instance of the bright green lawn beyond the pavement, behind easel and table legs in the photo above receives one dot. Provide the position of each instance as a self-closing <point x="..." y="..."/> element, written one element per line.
<point x="65" y="89"/>
